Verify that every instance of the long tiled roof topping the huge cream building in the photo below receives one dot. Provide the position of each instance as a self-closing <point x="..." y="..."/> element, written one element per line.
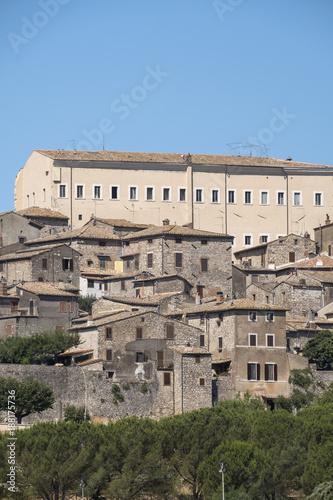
<point x="173" y="158"/>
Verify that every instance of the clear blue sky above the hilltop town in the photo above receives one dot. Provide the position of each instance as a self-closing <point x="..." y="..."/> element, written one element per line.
<point x="182" y="76"/>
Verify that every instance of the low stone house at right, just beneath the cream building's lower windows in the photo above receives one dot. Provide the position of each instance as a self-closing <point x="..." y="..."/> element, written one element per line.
<point x="271" y="254"/>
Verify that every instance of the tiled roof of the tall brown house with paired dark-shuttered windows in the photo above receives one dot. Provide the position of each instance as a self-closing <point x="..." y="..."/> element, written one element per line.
<point x="228" y="305"/>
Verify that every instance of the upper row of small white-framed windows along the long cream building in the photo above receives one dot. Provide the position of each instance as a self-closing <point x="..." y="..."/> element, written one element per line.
<point x="166" y="195"/>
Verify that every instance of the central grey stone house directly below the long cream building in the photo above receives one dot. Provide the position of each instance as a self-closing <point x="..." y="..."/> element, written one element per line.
<point x="201" y="257"/>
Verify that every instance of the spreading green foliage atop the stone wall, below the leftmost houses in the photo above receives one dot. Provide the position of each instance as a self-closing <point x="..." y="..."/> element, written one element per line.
<point x="39" y="348"/>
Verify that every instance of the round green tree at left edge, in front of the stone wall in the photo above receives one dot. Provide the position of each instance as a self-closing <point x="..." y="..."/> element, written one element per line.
<point x="27" y="396"/>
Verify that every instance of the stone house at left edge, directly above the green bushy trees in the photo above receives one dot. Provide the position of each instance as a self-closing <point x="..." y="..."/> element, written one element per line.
<point x="35" y="307"/>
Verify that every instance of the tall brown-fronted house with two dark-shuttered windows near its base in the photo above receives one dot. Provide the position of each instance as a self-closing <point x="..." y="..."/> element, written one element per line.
<point x="248" y="341"/>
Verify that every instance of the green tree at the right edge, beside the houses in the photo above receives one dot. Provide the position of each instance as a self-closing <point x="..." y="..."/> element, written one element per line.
<point x="319" y="350"/>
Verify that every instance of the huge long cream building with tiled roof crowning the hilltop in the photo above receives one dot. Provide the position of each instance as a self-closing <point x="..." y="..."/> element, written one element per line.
<point x="254" y="199"/>
